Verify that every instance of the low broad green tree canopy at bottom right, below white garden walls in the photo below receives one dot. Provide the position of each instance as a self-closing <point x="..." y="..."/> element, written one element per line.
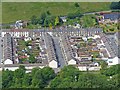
<point x="89" y="80"/>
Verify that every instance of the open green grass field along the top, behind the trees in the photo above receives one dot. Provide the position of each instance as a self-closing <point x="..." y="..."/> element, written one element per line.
<point x="12" y="11"/>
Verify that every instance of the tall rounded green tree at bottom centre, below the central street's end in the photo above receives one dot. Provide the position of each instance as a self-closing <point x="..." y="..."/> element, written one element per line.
<point x="66" y="77"/>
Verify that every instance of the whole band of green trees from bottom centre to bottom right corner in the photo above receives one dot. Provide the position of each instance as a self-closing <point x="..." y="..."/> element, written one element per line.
<point x="66" y="79"/>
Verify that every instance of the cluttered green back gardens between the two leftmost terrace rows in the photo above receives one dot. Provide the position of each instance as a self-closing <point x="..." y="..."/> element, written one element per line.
<point x="27" y="51"/>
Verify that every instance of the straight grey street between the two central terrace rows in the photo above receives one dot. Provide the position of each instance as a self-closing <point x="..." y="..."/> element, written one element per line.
<point x="59" y="54"/>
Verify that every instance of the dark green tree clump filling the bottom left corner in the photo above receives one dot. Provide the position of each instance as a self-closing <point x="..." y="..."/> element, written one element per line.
<point x="38" y="78"/>
